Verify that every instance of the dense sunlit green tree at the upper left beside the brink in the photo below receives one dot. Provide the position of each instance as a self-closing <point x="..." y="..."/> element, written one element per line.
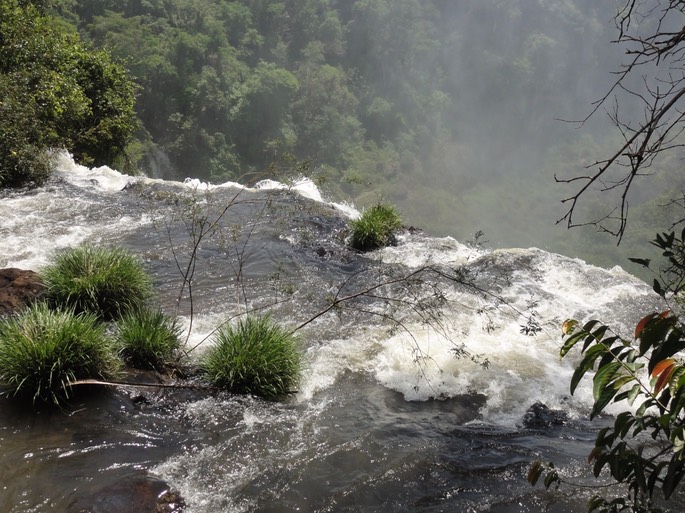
<point x="56" y="93"/>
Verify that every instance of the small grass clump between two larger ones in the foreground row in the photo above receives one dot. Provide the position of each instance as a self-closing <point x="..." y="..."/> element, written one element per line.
<point x="147" y="339"/>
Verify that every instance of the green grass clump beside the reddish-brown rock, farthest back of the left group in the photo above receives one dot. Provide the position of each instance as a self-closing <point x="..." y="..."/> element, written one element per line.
<point x="109" y="282"/>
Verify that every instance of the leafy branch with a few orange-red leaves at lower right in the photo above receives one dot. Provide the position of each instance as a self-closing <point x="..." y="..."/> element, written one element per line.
<point x="647" y="374"/>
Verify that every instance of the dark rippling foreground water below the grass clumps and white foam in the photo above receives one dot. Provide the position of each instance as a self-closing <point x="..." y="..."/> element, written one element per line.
<point x="353" y="447"/>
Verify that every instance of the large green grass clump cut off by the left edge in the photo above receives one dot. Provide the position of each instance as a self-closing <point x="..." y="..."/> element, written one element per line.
<point x="42" y="351"/>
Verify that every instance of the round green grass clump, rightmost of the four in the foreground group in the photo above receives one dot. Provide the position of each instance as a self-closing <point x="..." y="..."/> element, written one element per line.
<point x="255" y="356"/>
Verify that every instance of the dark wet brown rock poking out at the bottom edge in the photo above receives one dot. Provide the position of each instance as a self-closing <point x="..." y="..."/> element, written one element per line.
<point x="139" y="494"/>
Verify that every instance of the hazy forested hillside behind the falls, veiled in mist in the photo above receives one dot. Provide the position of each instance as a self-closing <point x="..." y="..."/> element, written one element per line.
<point x="456" y="111"/>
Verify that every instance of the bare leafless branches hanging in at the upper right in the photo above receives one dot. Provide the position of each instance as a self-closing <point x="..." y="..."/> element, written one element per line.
<point x="650" y="86"/>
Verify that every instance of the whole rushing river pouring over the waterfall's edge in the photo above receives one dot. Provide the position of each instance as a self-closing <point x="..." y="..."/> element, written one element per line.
<point x="389" y="416"/>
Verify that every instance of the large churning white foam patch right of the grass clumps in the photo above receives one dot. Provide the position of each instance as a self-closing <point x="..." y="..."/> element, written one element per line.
<point x="523" y="367"/>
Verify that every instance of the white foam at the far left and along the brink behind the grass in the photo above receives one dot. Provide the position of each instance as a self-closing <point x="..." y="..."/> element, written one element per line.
<point x="35" y="225"/>
